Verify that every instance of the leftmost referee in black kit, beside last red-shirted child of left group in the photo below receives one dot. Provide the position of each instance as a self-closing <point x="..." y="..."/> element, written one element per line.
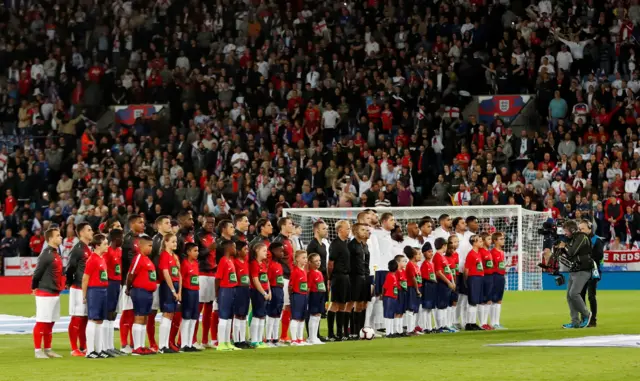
<point x="338" y="270"/>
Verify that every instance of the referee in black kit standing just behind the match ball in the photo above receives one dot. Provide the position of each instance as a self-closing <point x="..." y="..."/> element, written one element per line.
<point x="360" y="285"/>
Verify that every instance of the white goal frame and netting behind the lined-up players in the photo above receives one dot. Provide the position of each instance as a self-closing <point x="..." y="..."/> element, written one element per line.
<point x="523" y="249"/>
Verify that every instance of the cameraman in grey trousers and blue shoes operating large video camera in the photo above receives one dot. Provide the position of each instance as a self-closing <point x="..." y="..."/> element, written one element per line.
<point x="578" y="252"/>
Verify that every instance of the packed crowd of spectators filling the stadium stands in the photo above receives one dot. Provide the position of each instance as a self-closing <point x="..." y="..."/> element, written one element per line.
<point x="299" y="104"/>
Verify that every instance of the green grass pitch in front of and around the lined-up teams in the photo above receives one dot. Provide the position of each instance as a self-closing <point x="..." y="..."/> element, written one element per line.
<point x="461" y="356"/>
